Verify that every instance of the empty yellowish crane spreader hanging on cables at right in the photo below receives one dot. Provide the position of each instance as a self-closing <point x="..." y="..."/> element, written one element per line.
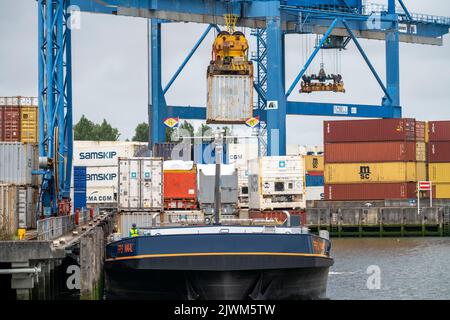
<point x="322" y="82"/>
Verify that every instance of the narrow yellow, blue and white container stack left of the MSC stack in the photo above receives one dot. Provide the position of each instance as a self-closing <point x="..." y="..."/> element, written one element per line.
<point x="314" y="180"/>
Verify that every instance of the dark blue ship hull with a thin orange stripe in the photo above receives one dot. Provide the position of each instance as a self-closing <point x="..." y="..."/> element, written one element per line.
<point x="218" y="267"/>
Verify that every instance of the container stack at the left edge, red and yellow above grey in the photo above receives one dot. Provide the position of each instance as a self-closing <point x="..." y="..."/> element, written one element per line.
<point x="18" y="157"/>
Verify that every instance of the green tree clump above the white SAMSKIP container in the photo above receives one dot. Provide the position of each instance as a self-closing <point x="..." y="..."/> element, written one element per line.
<point x="88" y="130"/>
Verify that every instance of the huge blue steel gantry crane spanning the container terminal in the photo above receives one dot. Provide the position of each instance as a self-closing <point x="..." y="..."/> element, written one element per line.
<point x="270" y="20"/>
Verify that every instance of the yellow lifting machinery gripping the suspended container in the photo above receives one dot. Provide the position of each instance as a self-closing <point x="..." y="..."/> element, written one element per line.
<point x="230" y="52"/>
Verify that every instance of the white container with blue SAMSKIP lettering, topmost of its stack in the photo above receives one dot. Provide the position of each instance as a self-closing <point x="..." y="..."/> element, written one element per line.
<point x="103" y="153"/>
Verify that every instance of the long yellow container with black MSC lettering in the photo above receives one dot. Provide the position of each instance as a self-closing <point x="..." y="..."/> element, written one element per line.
<point x="383" y="172"/>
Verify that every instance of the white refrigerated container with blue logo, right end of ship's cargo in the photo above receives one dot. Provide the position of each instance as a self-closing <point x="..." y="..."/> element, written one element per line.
<point x="276" y="182"/>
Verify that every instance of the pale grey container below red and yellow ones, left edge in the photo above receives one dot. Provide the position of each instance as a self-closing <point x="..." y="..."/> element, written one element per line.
<point x="17" y="161"/>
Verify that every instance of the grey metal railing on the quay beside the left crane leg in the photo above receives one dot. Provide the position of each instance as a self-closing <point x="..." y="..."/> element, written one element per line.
<point x="54" y="227"/>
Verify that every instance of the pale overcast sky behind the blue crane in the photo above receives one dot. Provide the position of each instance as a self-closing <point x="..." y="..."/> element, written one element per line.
<point x="110" y="68"/>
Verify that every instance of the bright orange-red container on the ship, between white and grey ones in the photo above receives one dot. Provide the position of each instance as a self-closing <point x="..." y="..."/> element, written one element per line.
<point x="180" y="185"/>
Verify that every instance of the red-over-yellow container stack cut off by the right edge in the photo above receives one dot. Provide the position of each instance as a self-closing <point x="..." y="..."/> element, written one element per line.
<point x="439" y="158"/>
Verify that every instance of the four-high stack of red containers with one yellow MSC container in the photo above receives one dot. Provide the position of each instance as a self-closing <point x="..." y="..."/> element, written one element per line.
<point x="374" y="159"/>
